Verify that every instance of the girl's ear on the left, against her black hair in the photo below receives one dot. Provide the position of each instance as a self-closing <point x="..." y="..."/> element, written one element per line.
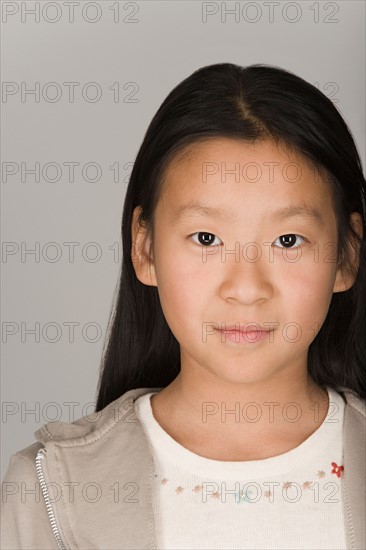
<point x="142" y="251"/>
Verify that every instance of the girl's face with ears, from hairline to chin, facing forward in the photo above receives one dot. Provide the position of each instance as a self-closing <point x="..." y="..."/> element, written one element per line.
<point x="259" y="251"/>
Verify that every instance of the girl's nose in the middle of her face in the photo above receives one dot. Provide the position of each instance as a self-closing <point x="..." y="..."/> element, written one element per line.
<point x="246" y="278"/>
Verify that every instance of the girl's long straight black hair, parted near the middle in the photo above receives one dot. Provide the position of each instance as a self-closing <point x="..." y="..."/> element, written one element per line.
<point x="247" y="103"/>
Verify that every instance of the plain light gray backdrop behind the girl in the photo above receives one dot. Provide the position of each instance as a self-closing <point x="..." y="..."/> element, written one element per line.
<point x="153" y="45"/>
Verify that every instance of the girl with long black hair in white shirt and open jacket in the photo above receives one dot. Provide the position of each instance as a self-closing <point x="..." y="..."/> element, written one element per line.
<point x="231" y="403"/>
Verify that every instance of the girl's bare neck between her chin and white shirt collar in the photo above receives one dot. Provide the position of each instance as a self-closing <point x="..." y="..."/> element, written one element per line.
<point x="212" y="416"/>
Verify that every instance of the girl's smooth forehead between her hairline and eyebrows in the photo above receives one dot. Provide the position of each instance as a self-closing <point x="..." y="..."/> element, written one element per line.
<point x="230" y="169"/>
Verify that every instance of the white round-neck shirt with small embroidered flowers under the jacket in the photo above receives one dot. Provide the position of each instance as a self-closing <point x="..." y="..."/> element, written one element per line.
<point x="289" y="502"/>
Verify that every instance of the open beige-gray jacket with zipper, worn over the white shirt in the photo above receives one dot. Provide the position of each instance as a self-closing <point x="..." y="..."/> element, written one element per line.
<point x="88" y="484"/>
